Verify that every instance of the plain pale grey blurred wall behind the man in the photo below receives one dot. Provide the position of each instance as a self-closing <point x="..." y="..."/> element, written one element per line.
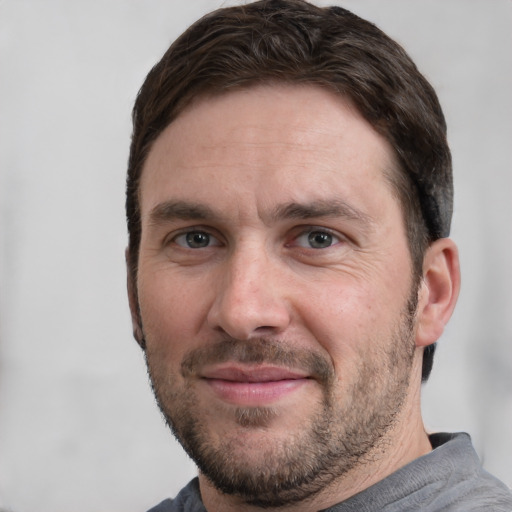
<point x="79" y="429"/>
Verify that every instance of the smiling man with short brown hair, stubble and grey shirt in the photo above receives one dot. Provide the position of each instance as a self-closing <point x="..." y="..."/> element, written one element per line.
<point x="289" y="200"/>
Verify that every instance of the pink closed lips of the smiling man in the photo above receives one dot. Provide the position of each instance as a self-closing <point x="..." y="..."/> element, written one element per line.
<point x="253" y="386"/>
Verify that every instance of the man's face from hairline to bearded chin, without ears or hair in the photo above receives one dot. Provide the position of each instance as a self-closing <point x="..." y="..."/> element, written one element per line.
<point x="274" y="289"/>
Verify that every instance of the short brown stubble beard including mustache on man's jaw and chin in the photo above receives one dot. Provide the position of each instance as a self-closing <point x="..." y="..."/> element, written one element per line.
<point x="326" y="446"/>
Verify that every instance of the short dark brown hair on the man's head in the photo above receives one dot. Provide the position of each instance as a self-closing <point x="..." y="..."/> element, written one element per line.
<point x="293" y="41"/>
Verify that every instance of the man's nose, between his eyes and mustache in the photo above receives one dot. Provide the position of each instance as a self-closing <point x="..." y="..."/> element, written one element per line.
<point x="250" y="299"/>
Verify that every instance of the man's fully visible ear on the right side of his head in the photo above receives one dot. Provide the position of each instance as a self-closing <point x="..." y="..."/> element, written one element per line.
<point x="438" y="291"/>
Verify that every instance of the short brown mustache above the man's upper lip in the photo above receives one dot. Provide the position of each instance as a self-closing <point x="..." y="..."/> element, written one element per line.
<point x="259" y="351"/>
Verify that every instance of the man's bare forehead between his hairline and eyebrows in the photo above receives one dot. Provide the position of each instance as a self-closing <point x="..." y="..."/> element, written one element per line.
<point x="272" y="140"/>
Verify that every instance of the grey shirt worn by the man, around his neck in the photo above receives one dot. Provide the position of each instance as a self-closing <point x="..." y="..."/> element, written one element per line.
<point x="450" y="478"/>
